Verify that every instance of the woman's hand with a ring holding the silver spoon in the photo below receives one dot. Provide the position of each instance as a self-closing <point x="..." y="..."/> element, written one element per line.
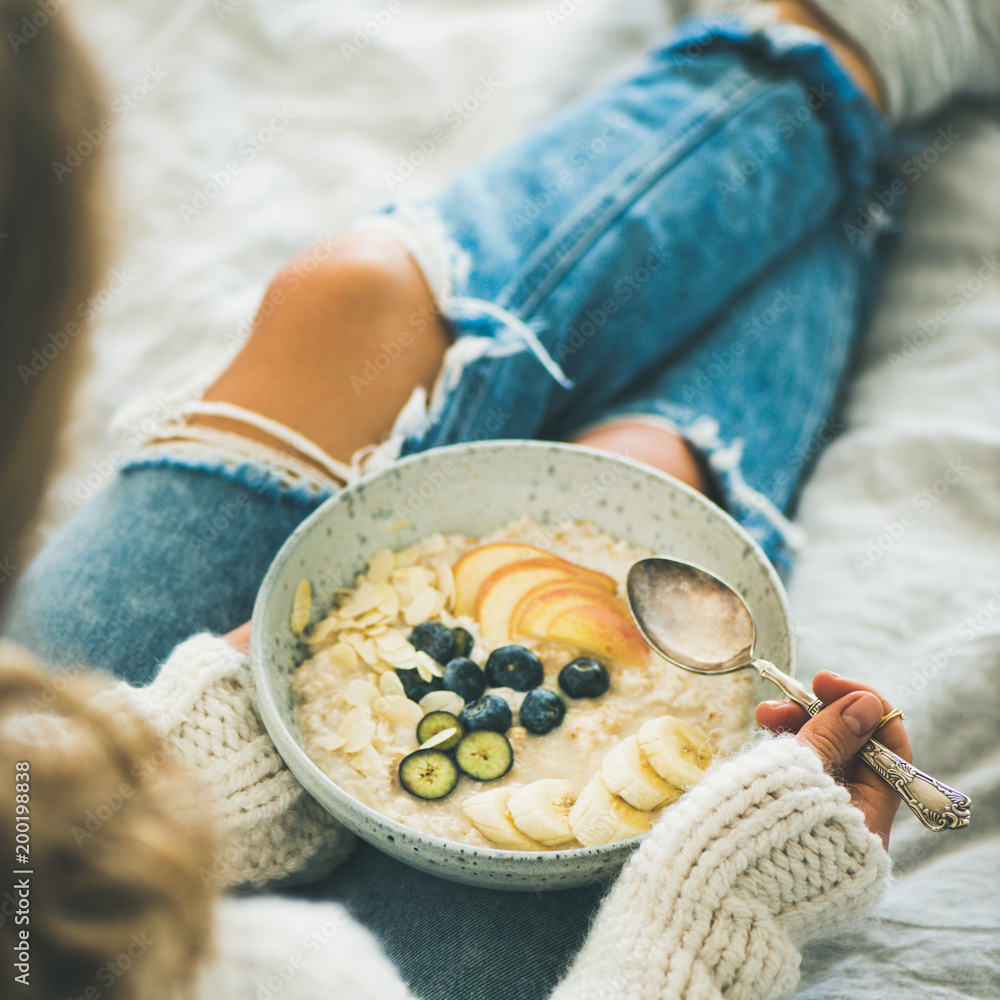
<point x="852" y="712"/>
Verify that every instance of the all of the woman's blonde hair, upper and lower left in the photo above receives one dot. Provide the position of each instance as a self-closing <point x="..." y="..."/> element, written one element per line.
<point x="116" y="903"/>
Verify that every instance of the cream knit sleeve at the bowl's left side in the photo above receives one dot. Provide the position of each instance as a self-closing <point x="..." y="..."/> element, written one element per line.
<point x="201" y="704"/>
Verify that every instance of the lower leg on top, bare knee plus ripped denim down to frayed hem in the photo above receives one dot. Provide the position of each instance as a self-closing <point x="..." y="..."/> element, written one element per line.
<point x="638" y="195"/>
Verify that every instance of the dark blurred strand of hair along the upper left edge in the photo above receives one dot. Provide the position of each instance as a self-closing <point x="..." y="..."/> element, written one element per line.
<point x="50" y="253"/>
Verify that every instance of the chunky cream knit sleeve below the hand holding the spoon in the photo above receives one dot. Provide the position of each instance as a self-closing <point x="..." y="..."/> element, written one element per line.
<point x="765" y="853"/>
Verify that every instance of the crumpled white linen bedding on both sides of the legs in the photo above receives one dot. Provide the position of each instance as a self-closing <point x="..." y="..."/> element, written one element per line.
<point x="244" y="130"/>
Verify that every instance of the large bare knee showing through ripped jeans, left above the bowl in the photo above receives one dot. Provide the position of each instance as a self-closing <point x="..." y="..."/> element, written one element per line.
<point x="326" y="319"/>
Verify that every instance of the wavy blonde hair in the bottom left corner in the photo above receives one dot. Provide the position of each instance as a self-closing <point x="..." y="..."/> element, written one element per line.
<point x="116" y="902"/>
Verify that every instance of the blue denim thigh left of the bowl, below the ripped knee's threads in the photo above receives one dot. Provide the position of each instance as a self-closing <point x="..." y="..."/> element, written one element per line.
<point x="160" y="554"/>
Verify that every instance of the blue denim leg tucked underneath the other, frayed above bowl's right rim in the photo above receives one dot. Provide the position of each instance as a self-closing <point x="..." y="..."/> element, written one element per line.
<point x="755" y="396"/>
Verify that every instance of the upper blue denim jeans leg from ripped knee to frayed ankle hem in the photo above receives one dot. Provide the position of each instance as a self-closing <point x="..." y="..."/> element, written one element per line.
<point x="579" y="259"/>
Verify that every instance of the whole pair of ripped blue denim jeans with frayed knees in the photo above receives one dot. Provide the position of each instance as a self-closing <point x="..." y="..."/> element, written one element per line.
<point x="676" y="248"/>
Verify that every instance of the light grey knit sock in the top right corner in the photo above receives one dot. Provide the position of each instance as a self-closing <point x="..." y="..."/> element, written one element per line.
<point x="926" y="51"/>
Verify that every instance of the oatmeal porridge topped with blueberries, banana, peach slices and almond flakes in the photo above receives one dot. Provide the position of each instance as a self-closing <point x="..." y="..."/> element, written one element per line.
<point x="495" y="692"/>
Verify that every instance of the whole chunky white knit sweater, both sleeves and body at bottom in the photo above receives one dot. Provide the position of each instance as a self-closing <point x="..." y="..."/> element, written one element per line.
<point x="765" y="853"/>
